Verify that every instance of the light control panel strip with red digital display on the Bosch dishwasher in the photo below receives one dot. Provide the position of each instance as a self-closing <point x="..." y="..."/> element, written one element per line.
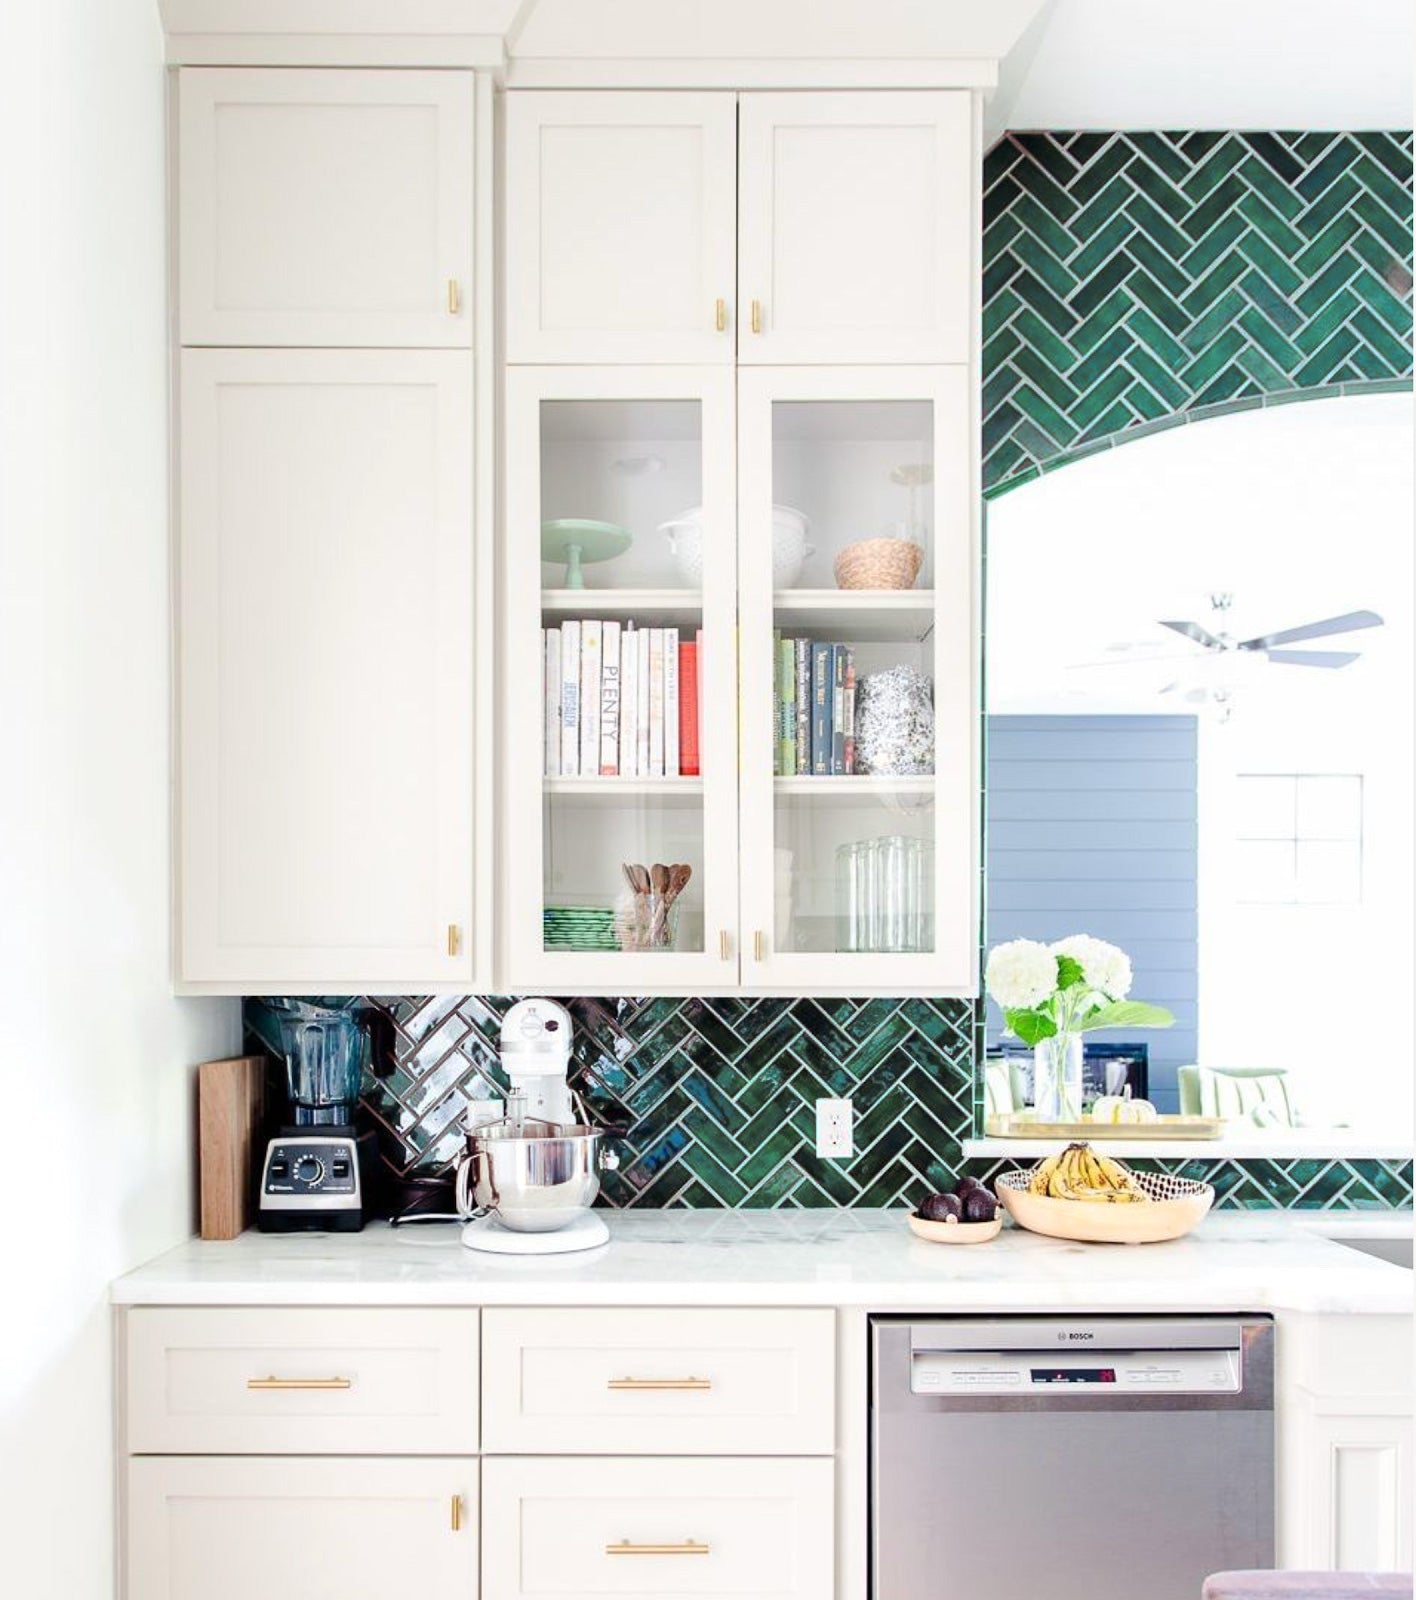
<point x="1108" y="1372"/>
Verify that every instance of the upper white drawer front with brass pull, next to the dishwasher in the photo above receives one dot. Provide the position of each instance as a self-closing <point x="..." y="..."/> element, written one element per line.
<point x="660" y="1382"/>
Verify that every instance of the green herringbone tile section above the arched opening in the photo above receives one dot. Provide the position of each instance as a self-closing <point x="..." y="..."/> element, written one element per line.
<point x="1137" y="279"/>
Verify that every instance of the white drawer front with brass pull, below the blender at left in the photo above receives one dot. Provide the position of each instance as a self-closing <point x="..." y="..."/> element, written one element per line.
<point x="302" y="1382"/>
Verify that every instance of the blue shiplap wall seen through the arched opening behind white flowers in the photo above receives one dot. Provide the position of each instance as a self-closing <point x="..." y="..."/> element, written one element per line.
<point x="1092" y="830"/>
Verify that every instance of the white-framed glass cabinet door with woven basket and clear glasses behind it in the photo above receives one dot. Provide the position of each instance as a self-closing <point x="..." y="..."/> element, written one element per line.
<point x="860" y="681"/>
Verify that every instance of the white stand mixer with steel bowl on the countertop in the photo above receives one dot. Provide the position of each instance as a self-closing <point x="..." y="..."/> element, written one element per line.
<point x="535" y="1170"/>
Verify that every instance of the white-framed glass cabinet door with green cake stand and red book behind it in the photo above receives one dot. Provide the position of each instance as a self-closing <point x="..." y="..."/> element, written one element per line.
<point x="620" y="748"/>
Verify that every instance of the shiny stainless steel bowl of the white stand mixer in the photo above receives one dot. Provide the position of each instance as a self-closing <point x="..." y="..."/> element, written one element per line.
<point x="535" y="1185"/>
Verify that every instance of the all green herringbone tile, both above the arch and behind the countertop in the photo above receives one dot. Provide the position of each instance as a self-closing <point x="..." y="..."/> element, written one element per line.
<point x="1130" y="281"/>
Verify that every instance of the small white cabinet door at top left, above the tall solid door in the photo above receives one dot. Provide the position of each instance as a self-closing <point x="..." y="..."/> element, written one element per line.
<point x="326" y="207"/>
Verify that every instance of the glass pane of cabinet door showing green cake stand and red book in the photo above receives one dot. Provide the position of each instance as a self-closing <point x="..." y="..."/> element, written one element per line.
<point x="623" y="548"/>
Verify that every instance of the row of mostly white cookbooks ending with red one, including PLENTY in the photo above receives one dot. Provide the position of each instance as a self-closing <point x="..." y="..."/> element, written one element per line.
<point x="620" y="700"/>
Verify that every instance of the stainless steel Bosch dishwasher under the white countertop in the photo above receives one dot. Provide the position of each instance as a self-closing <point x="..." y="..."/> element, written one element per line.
<point x="1070" y="1458"/>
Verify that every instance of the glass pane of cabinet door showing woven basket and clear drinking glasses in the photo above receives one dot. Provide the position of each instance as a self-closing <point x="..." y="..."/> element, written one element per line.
<point x="854" y="615"/>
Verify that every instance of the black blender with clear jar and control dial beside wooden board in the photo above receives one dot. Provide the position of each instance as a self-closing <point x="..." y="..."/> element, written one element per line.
<point x="311" y="1177"/>
